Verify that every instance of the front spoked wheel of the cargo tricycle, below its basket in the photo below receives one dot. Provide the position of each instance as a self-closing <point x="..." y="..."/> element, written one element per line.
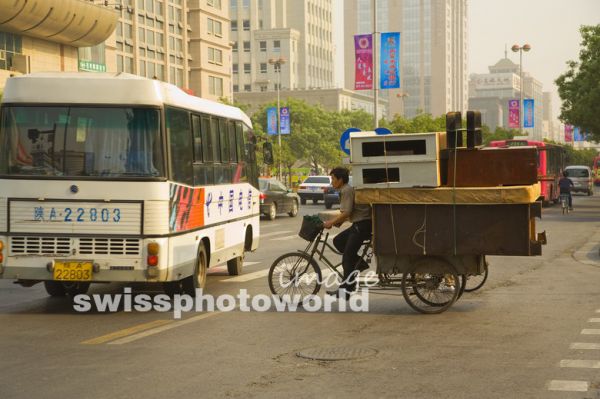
<point x="294" y="276"/>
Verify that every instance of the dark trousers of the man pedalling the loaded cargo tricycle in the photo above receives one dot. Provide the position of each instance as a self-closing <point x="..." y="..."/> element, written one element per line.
<point x="348" y="242"/>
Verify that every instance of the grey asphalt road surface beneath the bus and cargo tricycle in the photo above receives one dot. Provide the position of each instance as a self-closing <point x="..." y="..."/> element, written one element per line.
<point x="533" y="331"/>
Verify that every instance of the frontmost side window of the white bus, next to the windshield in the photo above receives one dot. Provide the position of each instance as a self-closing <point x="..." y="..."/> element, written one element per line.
<point x="180" y="138"/>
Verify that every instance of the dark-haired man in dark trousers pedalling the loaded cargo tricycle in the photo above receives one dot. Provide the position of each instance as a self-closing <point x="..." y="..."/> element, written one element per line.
<point x="349" y="241"/>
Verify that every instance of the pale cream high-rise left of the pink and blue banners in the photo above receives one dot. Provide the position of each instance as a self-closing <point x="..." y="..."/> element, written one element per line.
<point x="282" y="42"/>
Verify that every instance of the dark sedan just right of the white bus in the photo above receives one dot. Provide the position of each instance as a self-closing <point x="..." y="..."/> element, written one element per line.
<point x="276" y="198"/>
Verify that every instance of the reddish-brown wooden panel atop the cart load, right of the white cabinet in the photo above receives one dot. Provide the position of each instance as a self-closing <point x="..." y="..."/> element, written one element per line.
<point x="491" y="167"/>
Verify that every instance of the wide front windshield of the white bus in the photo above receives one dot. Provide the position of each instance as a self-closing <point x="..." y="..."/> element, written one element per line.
<point x="72" y="141"/>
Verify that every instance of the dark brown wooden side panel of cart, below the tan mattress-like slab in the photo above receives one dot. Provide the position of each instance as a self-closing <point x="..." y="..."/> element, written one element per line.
<point x="432" y="229"/>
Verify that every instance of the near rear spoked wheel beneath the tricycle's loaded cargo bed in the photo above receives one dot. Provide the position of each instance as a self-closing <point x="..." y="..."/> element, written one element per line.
<point x="431" y="286"/>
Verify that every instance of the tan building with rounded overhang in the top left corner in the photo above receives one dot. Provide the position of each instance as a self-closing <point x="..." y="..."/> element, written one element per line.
<point x="30" y="41"/>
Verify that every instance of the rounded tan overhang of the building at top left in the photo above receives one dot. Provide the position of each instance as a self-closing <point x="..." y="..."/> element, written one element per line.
<point x="75" y="23"/>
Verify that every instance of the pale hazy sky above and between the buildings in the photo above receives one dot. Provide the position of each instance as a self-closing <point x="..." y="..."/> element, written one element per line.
<point x="551" y="27"/>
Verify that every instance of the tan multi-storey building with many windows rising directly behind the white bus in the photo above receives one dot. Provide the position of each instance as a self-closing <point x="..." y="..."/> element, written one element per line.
<point x="183" y="42"/>
